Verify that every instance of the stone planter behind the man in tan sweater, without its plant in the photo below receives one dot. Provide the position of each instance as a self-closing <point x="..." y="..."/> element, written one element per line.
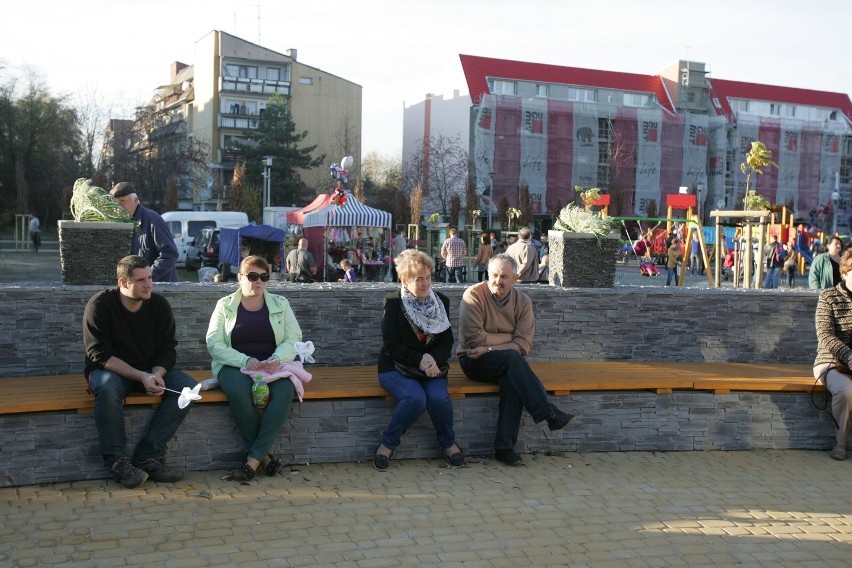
<point x="579" y="260"/>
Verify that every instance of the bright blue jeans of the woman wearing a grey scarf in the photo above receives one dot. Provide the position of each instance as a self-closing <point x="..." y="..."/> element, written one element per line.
<point x="414" y="397"/>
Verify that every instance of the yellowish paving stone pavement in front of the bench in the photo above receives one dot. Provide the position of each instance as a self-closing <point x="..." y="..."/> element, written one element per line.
<point x="643" y="509"/>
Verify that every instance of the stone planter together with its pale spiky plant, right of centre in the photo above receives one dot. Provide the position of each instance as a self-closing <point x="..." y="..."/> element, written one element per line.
<point x="583" y="247"/>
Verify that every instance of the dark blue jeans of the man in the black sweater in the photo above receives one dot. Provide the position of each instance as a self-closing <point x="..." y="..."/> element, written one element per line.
<point x="110" y="389"/>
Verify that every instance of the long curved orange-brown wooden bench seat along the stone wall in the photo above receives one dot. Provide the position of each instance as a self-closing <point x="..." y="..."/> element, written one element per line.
<point x="68" y="392"/>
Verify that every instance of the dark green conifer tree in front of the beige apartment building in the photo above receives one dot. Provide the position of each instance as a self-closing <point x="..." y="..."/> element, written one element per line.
<point x="276" y="136"/>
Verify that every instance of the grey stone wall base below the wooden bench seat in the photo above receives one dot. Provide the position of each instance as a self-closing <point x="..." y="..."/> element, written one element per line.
<point x="63" y="446"/>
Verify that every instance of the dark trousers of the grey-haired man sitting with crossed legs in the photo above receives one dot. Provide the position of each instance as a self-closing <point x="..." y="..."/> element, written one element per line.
<point x="520" y="389"/>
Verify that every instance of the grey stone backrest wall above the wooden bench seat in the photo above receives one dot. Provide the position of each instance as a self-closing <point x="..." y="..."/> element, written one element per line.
<point x="41" y="333"/>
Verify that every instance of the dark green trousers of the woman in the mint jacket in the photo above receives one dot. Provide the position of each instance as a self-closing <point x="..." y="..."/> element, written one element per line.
<point x="258" y="437"/>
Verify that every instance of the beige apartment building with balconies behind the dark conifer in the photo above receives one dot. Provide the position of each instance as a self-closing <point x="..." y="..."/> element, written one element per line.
<point x="219" y="96"/>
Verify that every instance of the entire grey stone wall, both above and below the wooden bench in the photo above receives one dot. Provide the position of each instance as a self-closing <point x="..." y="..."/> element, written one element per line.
<point x="40" y="333"/>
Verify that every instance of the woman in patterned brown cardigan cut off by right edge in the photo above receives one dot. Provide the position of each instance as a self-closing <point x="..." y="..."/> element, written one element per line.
<point x="834" y="354"/>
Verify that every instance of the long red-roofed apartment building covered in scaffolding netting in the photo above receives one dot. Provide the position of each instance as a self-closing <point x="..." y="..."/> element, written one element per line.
<point x="641" y="137"/>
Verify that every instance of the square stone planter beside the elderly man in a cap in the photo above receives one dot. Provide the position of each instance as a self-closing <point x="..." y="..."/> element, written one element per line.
<point x="89" y="251"/>
